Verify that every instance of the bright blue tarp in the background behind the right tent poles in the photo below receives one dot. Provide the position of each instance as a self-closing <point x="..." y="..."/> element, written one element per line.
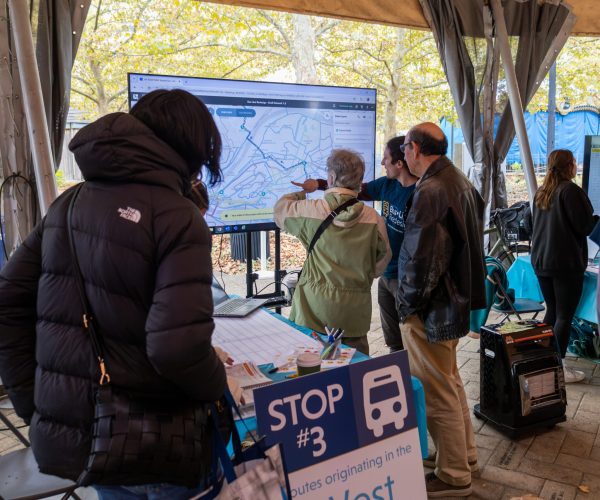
<point x="570" y="133"/>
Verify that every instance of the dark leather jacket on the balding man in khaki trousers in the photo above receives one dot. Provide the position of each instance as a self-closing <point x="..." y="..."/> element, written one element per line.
<point x="441" y="272"/>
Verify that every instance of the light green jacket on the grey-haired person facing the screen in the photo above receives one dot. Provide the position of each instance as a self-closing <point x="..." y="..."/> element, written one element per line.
<point x="335" y="286"/>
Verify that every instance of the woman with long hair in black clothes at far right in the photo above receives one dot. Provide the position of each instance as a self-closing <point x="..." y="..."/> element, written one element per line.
<point x="562" y="218"/>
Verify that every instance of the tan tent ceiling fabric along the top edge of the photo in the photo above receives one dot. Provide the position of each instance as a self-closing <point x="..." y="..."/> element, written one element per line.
<point x="405" y="13"/>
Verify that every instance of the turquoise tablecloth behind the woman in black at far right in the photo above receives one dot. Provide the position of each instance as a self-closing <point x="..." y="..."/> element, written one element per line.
<point x="522" y="278"/>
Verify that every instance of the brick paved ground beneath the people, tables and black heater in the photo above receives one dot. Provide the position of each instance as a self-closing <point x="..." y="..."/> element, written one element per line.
<point x="551" y="465"/>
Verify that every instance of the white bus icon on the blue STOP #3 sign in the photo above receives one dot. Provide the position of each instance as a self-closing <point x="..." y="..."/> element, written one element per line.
<point x="384" y="399"/>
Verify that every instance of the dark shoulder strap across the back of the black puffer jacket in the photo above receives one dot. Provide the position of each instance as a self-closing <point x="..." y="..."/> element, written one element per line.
<point x="87" y="317"/>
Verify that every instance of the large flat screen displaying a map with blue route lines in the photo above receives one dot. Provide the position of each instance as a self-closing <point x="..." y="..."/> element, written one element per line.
<point x="273" y="133"/>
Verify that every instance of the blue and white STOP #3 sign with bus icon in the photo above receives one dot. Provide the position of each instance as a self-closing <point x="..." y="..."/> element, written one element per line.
<point x="349" y="433"/>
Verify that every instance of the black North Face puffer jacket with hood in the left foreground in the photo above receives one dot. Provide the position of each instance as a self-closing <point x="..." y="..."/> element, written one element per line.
<point x="144" y="251"/>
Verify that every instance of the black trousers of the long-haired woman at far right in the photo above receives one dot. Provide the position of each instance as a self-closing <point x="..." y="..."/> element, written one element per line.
<point x="561" y="295"/>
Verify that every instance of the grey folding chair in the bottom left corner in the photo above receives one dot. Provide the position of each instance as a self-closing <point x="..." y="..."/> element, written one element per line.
<point x="20" y="478"/>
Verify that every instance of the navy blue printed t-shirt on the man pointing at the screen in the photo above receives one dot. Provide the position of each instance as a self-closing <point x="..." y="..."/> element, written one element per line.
<point x="394" y="197"/>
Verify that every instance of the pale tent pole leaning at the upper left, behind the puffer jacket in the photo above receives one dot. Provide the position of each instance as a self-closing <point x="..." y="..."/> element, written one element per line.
<point x="33" y="104"/>
